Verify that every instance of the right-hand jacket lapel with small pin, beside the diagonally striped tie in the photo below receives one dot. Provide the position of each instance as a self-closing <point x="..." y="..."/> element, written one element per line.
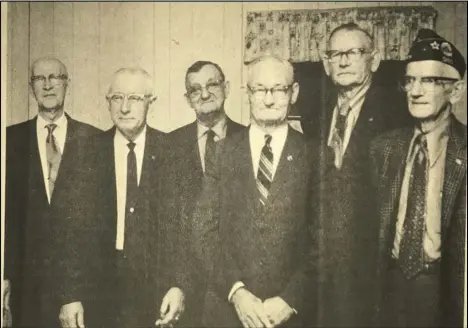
<point x="286" y="166"/>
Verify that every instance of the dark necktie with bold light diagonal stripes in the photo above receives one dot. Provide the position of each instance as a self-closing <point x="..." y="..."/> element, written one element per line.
<point x="265" y="170"/>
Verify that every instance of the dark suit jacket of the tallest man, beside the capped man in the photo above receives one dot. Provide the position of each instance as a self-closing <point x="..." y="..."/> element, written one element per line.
<point x="346" y="208"/>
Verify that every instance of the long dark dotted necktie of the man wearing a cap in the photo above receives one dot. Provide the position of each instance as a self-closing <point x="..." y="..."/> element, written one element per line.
<point x="411" y="255"/>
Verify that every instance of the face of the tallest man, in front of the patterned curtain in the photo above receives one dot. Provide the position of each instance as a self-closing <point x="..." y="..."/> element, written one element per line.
<point x="352" y="70"/>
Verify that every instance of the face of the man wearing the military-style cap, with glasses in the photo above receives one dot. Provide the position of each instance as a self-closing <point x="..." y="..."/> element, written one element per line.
<point x="432" y="88"/>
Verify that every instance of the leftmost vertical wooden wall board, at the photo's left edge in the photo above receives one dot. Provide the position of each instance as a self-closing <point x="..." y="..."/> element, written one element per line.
<point x="18" y="63"/>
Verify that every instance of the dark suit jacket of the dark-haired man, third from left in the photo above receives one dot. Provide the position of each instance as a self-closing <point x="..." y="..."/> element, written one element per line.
<point x="186" y="156"/>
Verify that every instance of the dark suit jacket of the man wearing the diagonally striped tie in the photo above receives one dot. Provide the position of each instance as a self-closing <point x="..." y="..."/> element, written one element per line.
<point x="267" y="248"/>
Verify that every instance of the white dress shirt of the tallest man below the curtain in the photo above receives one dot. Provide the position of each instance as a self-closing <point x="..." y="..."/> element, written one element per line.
<point x="356" y="104"/>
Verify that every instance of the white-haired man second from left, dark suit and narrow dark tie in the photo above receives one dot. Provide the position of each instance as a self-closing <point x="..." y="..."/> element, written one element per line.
<point x="114" y="228"/>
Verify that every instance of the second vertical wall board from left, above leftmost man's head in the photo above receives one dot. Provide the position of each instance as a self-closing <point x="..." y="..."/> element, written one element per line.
<point x="41" y="38"/>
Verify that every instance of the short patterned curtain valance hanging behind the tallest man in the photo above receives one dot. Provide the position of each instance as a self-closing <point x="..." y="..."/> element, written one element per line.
<point x="300" y="35"/>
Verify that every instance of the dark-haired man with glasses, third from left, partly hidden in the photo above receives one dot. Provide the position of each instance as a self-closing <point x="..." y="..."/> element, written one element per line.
<point x="207" y="90"/>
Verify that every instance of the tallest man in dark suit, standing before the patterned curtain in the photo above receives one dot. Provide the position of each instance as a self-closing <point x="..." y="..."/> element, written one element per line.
<point x="356" y="110"/>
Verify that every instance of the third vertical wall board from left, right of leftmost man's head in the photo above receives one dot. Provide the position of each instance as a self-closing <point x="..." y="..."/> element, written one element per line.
<point x="64" y="43"/>
